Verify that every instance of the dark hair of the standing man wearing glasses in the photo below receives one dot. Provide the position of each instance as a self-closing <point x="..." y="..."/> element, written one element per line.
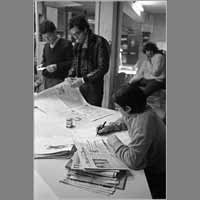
<point x="80" y="22"/>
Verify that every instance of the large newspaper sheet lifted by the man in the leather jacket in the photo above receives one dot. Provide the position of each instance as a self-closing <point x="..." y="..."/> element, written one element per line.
<point x="62" y="100"/>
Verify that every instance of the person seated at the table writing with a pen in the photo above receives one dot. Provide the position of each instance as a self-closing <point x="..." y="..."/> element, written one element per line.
<point x="147" y="147"/>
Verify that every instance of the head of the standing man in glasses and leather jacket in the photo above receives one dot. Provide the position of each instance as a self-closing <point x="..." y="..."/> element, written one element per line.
<point x="79" y="27"/>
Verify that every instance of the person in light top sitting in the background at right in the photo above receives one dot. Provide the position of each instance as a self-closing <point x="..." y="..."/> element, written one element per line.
<point x="151" y="75"/>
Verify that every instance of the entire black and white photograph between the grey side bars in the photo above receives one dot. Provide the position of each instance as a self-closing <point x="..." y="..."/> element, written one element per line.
<point x="99" y="99"/>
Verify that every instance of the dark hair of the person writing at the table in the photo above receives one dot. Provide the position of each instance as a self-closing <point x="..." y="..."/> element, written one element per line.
<point x="131" y="96"/>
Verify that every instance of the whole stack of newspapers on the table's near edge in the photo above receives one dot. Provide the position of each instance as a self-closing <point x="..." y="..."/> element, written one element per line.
<point x="95" y="168"/>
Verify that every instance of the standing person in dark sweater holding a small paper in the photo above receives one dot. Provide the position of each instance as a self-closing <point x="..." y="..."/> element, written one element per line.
<point x="57" y="55"/>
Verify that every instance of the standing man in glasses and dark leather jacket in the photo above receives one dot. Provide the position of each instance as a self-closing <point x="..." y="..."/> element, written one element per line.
<point x="91" y="61"/>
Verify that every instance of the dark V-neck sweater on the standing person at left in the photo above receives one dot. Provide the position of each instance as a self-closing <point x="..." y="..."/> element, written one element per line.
<point x="62" y="55"/>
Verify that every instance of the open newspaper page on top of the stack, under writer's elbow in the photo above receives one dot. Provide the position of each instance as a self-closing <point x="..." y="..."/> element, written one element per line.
<point x="96" y="154"/>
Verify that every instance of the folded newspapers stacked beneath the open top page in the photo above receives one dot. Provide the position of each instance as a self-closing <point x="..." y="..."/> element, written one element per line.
<point x="104" y="181"/>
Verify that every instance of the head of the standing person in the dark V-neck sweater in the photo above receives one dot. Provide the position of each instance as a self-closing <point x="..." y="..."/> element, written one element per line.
<point x="48" y="30"/>
